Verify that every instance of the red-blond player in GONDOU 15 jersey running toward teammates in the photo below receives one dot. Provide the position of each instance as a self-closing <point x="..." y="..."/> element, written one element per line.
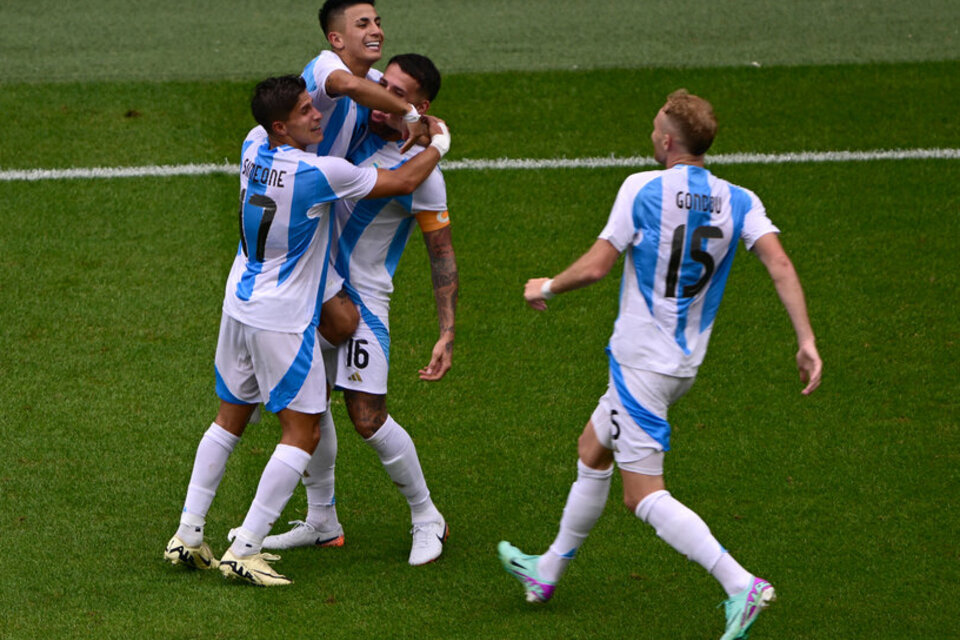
<point x="679" y="228"/>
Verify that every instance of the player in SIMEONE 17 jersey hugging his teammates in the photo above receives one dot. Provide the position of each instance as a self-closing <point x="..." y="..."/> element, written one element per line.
<point x="267" y="347"/>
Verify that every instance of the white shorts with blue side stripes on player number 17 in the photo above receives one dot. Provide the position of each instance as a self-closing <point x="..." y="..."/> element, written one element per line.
<point x="282" y="370"/>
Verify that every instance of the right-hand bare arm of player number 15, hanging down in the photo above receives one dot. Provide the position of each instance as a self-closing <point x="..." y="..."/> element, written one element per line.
<point x="787" y="283"/>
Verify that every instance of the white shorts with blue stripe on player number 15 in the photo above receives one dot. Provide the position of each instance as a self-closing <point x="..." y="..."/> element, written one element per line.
<point x="631" y="417"/>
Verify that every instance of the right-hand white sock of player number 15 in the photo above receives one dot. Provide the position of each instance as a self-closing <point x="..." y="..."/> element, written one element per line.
<point x="686" y="532"/>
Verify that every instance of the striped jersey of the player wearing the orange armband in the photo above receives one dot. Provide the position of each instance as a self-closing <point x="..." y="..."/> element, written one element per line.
<point x="371" y="234"/>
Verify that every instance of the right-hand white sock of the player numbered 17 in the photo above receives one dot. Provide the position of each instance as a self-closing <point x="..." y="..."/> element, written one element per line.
<point x="279" y="479"/>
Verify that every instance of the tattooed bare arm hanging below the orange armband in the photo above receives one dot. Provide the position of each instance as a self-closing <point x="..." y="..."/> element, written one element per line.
<point x="446" y="284"/>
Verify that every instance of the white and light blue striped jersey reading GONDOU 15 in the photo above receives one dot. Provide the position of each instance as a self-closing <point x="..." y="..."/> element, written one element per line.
<point x="679" y="228"/>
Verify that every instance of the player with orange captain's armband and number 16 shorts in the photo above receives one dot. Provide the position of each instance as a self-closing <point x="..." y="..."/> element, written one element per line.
<point x="371" y="237"/>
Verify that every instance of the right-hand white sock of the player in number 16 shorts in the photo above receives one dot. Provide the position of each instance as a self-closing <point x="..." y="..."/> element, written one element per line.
<point x="398" y="455"/>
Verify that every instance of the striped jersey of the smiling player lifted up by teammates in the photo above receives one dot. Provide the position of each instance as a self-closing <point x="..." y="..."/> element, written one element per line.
<point x="343" y="119"/>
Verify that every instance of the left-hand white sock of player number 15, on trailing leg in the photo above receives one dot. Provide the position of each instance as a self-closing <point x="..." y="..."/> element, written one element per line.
<point x="585" y="503"/>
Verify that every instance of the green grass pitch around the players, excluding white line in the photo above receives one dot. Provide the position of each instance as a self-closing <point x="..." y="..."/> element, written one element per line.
<point x="111" y="291"/>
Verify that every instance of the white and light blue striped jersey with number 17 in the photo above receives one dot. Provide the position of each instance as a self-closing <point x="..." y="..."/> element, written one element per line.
<point x="285" y="231"/>
